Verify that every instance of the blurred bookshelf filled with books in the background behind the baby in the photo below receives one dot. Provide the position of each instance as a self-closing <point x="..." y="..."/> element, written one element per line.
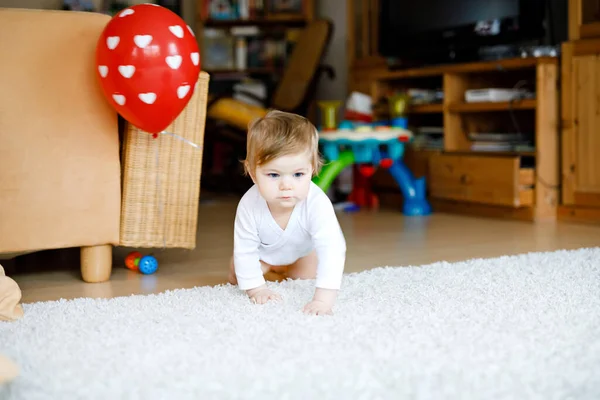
<point x="249" y="37"/>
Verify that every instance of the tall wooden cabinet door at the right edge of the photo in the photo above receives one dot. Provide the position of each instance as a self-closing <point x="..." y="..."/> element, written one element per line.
<point x="581" y="130"/>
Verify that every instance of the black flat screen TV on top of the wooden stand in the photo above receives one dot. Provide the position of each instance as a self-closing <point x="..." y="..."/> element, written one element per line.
<point x="443" y="31"/>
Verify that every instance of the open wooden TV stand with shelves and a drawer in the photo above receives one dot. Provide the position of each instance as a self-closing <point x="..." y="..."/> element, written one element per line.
<point x="516" y="184"/>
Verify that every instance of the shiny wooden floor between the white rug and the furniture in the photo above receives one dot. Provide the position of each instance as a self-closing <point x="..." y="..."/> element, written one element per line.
<point x="374" y="239"/>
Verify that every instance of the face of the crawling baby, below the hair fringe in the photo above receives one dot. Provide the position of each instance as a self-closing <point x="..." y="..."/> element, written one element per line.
<point x="284" y="181"/>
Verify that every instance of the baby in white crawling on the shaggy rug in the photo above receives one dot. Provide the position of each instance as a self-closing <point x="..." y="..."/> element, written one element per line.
<point x="285" y="221"/>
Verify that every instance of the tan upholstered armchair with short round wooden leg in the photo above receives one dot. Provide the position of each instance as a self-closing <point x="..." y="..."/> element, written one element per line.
<point x="60" y="158"/>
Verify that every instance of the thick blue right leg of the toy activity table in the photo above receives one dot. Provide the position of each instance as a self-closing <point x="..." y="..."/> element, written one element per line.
<point x="413" y="190"/>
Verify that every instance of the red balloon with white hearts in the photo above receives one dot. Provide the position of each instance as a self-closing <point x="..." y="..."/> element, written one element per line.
<point x="148" y="63"/>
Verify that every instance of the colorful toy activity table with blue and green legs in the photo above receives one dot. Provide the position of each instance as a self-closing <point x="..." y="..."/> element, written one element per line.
<point x="370" y="147"/>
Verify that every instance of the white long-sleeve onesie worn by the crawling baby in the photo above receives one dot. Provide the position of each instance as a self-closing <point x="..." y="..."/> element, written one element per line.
<point x="312" y="225"/>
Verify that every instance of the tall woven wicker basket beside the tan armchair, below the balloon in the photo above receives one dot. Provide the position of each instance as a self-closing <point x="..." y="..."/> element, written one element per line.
<point x="161" y="179"/>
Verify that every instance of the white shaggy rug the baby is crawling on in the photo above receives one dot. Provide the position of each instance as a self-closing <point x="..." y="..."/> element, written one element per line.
<point x="523" y="327"/>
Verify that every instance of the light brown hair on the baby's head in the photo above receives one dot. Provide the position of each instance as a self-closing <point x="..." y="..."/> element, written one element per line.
<point x="277" y="134"/>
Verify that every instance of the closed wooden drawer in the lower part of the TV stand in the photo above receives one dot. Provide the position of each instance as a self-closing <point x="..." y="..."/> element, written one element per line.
<point x="481" y="179"/>
